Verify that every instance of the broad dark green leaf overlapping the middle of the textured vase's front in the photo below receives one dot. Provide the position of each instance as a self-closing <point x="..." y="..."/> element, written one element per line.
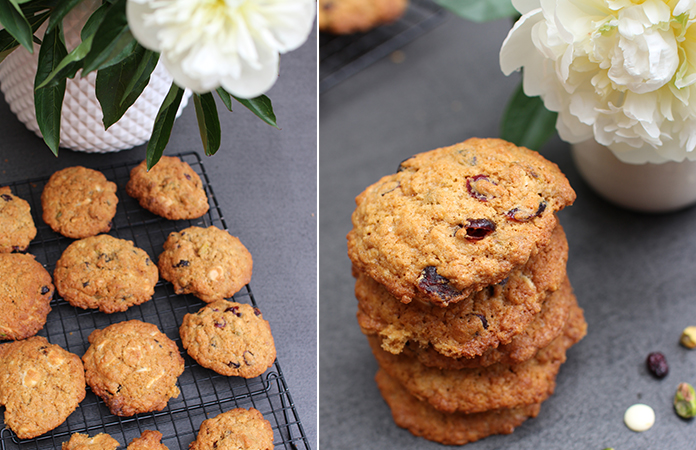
<point x="119" y="86"/>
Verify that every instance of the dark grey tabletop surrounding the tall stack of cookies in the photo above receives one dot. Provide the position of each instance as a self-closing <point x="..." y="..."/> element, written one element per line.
<point x="634" y="274"/>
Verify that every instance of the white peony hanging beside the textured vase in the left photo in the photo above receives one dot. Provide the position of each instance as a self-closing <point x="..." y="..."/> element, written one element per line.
<point x="205" y="44"/>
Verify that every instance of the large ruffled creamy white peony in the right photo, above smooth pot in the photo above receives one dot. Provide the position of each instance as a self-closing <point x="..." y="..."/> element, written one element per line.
<point x="620" y="71"/>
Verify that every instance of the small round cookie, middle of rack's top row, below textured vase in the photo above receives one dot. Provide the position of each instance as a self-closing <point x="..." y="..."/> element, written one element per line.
<point x="79" y="202"/>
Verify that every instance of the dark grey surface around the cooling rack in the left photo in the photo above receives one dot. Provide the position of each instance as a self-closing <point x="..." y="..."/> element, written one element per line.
<point x="266" y="183"/>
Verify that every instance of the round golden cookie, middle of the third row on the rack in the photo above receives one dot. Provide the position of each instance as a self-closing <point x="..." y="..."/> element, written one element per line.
<point x="133" y="367"/>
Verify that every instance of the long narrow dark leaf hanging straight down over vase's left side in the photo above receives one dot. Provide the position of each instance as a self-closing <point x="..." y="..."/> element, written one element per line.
<point x="48" y="101"/>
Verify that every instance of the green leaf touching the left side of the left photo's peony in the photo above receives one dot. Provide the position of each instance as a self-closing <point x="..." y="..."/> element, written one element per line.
<point x="112" y="36"/>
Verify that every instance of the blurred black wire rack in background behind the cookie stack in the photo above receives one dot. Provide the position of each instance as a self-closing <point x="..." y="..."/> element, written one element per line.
<point x="343" y="56"/>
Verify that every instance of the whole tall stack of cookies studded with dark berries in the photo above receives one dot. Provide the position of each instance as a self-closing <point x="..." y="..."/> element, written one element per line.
<point x="462" y="289"/>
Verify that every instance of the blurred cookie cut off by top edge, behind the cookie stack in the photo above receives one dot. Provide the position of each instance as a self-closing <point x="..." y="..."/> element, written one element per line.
<point x="352" y="16"/>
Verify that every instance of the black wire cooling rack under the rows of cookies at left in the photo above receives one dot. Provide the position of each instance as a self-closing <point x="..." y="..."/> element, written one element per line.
<point x="204" y="393"/>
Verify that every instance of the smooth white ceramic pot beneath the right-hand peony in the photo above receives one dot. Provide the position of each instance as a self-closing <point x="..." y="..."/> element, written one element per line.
<point x="651" y="188"/>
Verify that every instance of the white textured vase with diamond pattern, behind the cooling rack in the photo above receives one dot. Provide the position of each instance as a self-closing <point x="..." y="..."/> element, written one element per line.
<point x="81" y="126"/>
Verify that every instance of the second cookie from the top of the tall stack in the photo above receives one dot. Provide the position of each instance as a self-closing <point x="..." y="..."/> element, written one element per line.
<point x="465" y="329"/>
